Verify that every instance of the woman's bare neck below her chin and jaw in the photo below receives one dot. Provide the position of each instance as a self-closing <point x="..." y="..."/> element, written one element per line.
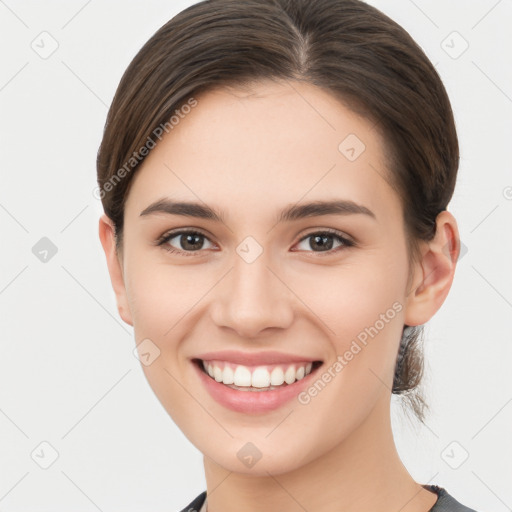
<point x="362" y="473"/>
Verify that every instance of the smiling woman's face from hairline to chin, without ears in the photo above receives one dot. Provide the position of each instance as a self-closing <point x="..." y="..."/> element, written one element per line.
<point x="259" y="281"/>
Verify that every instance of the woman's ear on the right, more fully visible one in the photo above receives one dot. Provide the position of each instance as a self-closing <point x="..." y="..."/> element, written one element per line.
<point x="433" y="275"/>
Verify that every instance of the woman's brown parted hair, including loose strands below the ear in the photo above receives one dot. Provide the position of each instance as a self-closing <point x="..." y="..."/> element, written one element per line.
<point x="346" y="47"/>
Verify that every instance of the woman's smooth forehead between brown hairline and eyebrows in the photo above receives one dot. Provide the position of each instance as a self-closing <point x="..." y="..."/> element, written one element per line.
<point x="276" y="144"/>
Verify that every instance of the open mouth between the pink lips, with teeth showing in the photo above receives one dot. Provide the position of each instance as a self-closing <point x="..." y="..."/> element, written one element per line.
<point x="256" y="378"/>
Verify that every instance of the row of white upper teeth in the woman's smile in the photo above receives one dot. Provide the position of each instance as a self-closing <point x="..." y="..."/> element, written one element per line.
<point x="260" y="377"/>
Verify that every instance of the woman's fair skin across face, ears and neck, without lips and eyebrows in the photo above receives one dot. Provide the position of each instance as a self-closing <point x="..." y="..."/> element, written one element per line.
<point x="250" y="154"/>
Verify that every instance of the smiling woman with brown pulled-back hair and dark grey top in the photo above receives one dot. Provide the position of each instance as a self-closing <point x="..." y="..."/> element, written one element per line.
<point x="275" y="177"/>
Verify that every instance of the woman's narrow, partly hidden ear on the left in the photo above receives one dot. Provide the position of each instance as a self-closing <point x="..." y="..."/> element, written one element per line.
<point x="115" y="269"/>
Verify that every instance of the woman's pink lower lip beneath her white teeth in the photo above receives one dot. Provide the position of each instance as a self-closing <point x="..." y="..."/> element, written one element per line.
<point x="252" y="401"/>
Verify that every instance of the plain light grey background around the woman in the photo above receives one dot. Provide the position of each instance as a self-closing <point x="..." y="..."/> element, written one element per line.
<point x="68" y="376"/>
